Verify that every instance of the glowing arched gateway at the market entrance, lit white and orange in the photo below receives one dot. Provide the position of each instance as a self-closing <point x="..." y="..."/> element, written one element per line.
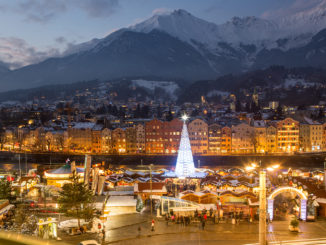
<point x="303" y="198"/>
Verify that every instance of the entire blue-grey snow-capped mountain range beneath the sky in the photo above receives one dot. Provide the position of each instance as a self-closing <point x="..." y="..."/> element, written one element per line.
<point x="180" y="46"/>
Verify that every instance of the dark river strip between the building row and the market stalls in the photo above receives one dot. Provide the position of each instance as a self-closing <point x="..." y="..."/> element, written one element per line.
<point x="302" y="160"/>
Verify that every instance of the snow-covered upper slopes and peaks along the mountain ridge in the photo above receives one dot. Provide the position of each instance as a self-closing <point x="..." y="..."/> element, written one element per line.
<point x="287" y="32"/>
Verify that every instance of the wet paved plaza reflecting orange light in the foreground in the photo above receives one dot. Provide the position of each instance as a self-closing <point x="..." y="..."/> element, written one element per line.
<point x="123" y="229"/>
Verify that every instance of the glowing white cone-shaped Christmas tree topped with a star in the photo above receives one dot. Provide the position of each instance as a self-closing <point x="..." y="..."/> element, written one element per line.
<point x="185" y="166"/>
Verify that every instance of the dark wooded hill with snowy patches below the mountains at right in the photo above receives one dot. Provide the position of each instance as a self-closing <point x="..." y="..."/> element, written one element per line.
<point x="291" y="86"/>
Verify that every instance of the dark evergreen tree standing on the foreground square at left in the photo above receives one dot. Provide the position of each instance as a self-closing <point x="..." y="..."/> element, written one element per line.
<point x="75" y="199"/>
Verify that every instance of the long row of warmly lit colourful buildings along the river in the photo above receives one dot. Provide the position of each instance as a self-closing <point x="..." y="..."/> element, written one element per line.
<point x="163" y="137"/>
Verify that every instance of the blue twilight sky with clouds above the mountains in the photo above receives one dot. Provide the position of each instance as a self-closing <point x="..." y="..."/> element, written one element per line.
<point x="31" y="30"/>
